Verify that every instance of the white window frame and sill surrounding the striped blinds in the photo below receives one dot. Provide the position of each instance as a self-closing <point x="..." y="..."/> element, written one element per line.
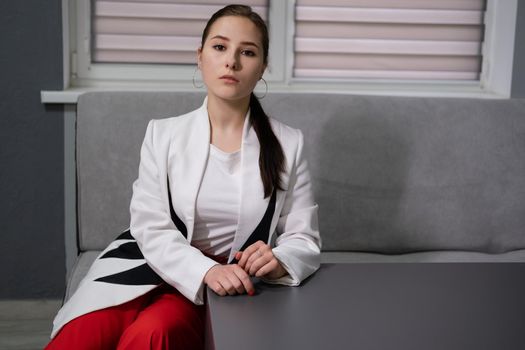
<point x="81" y="75"/>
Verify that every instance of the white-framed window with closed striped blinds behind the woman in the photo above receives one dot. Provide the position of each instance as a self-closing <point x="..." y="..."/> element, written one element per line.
<point x="360" y="46"/>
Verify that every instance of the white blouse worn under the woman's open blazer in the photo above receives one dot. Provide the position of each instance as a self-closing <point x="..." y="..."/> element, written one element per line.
<point x="217" y="206"/>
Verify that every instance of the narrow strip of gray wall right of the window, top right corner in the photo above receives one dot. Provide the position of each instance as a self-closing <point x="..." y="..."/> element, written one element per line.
<point x="518" y="73"/>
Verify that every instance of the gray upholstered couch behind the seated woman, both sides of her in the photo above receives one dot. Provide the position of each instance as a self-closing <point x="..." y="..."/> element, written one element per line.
<point x="397" y="179"/>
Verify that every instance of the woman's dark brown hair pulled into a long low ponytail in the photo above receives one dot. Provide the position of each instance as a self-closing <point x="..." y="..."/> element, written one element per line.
<point x="271" y="156"/>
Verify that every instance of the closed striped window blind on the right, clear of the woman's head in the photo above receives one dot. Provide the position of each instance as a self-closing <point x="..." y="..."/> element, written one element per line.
<point x="403" y="39"/>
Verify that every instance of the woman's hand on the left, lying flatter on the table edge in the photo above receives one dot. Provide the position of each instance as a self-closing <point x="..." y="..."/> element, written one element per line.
<point x="229" y="280"/>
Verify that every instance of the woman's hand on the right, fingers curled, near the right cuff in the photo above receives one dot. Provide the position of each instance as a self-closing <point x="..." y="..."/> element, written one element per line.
<point x="258" y="260"/>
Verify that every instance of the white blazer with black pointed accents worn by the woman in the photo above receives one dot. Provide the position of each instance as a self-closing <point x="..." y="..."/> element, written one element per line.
<point x="157" y="247"/>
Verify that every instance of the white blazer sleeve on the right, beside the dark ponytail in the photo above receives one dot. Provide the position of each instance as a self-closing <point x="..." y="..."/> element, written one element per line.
<point x="298" y="245"/>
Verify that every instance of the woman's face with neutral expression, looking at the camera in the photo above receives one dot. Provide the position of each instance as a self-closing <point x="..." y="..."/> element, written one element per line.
<point x="232" y="58"/>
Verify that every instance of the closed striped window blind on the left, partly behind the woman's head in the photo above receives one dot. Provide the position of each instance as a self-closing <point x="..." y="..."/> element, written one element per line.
<point x="153" y="31"/>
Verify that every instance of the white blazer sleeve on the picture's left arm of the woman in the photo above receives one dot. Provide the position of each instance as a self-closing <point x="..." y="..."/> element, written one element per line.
<point x="164" y="247"/>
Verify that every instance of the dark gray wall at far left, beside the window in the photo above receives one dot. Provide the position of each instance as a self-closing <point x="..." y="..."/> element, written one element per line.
<point x="31" y="151"/>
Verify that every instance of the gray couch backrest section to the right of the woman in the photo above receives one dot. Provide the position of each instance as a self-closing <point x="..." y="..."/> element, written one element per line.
<point x="398" y="175"/>
